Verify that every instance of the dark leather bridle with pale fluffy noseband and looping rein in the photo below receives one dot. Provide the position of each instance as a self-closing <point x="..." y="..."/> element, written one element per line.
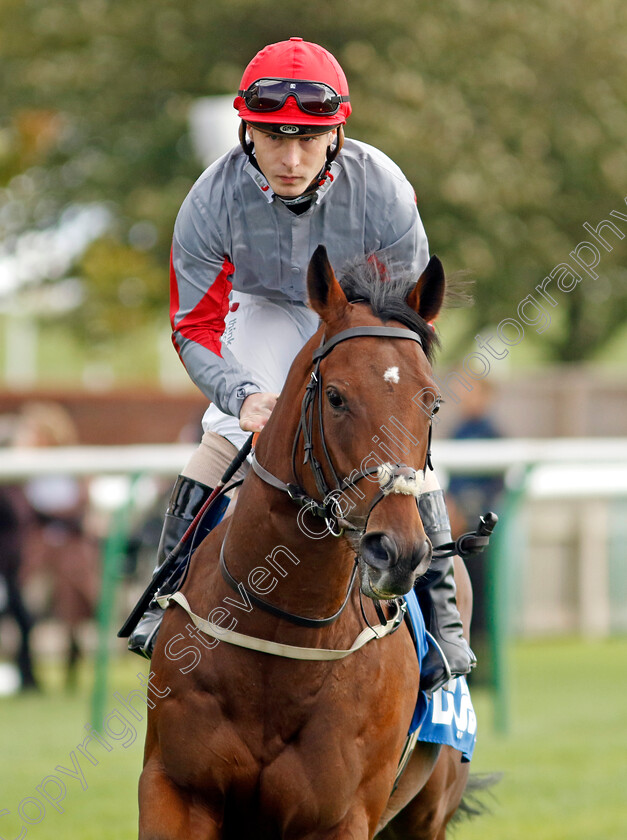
<point x="329" y="508"/>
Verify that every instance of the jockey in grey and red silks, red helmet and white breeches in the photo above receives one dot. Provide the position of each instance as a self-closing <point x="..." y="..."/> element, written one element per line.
<point x="242" y="242"/>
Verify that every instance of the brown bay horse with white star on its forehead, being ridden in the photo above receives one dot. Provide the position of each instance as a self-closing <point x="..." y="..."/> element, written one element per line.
<point x="247" y="743"/>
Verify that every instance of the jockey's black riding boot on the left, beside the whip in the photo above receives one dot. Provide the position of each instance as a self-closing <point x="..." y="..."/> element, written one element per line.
<point x="188" y="496"/>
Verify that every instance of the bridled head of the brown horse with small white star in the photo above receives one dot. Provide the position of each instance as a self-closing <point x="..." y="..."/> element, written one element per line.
<point x="367" y="411"/>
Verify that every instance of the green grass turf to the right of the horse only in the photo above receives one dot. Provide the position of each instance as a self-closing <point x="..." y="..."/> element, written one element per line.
<point x="564" y="758"/>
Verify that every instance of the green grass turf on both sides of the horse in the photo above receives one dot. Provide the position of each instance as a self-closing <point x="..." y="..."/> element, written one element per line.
<point x="564" y="758"/>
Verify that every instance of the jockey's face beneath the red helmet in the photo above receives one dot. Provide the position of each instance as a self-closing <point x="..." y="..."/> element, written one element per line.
<point x="290" y="163"/>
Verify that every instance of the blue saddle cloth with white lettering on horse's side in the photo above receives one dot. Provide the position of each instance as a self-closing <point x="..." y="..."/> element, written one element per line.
<point x="449" y="717"/>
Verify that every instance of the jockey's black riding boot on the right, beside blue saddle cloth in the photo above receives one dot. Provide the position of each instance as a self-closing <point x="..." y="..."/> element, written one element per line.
<point x="436" y="594"/>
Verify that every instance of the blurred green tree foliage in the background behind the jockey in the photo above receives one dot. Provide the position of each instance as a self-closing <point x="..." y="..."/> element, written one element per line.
<point x="509" y="119"/>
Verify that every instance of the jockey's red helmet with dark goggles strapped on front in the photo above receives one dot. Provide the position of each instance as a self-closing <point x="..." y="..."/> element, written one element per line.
<point x="294" y="87"/>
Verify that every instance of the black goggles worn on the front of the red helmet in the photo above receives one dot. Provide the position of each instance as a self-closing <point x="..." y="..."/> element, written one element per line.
<point x="316" y="98"/>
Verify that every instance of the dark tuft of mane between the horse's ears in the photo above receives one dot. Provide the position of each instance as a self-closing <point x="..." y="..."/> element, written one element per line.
<point x="384" y="285"/>
